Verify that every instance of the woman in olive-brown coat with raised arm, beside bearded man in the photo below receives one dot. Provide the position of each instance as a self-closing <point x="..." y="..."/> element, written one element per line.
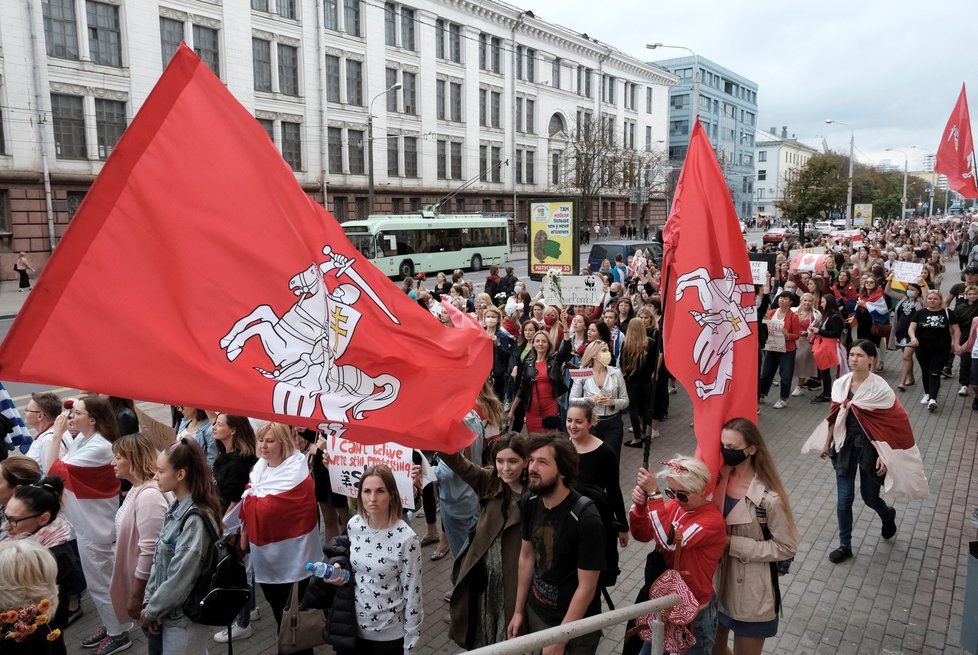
<point x="486" y="573"/>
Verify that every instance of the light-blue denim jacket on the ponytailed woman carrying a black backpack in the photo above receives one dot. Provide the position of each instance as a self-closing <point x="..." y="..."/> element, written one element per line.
<point x="176" y="563"/>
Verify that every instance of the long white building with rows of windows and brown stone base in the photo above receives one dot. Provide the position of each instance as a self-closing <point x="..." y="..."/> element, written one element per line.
<point x="458" y="90"/>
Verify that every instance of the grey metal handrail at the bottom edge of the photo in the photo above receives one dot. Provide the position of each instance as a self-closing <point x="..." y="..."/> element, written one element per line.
<point x="537" y="640"/>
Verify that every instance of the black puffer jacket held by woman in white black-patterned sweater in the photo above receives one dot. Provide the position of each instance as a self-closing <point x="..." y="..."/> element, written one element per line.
<point x="341" y="625"/>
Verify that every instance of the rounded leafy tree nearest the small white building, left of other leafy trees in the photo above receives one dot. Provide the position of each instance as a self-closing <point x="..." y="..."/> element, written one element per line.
<point x="815" y="191"/>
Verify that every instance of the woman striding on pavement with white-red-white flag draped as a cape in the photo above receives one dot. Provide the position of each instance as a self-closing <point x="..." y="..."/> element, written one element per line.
<point x="867" y="430"/>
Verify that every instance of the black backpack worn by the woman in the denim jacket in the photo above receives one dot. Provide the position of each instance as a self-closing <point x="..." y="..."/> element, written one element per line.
<point x="221" y="588"/>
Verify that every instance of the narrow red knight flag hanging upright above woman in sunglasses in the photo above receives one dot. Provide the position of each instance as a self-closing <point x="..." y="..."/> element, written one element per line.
<point x="710" y="333"/>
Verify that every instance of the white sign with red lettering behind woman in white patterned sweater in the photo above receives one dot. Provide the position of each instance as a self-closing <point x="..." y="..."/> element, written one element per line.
<point x="348" y="459"/>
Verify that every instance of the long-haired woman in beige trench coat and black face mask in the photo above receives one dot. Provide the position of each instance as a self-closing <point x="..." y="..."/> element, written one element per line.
<point x="760" y="532"/>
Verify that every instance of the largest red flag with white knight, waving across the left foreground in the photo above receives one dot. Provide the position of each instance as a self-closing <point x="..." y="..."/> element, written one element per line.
<point x="197" y="272"/>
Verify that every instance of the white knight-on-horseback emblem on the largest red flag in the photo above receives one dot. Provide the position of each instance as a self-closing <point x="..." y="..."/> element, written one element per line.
<point x="305" y="342"/>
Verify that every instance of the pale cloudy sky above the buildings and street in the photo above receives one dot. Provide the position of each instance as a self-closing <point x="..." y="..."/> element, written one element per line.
<point x="890" y="68"/>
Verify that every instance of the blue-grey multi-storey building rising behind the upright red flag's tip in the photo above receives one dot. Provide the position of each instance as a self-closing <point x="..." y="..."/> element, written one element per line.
<point x="728" y="112"/>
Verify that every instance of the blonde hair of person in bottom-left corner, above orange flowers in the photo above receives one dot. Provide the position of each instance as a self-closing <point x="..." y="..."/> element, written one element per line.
<point x="28" y="574"/>
